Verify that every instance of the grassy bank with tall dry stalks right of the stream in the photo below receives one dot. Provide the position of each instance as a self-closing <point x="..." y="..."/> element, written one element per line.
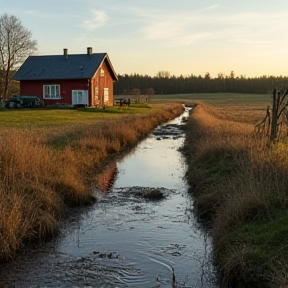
<point x="240" y="184"/>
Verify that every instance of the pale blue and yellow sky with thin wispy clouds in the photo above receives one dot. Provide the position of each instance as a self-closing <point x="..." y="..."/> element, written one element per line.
<point x="182" y="37"/>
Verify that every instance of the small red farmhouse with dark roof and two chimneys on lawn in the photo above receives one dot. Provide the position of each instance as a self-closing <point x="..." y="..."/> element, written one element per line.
<point x="78" y="79"/>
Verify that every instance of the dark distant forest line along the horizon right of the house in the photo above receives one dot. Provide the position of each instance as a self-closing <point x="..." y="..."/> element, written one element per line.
<point x="136" y="84"/>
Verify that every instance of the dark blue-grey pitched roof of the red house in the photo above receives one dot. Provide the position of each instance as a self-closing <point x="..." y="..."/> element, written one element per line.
<point x="74" y="66"/>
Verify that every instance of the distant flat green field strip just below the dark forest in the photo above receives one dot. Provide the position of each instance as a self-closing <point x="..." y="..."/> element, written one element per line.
<point x="217" y="98"/>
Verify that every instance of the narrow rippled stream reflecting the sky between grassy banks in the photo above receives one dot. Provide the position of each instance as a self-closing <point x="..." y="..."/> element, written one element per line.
<point x="127" y="239"/>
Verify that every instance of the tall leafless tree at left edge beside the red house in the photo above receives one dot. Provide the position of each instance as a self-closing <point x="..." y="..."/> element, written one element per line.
<point x="16" y="44"/>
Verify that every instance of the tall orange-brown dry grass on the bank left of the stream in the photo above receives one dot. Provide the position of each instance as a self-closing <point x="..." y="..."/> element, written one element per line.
<point x="45" y="171"/>
